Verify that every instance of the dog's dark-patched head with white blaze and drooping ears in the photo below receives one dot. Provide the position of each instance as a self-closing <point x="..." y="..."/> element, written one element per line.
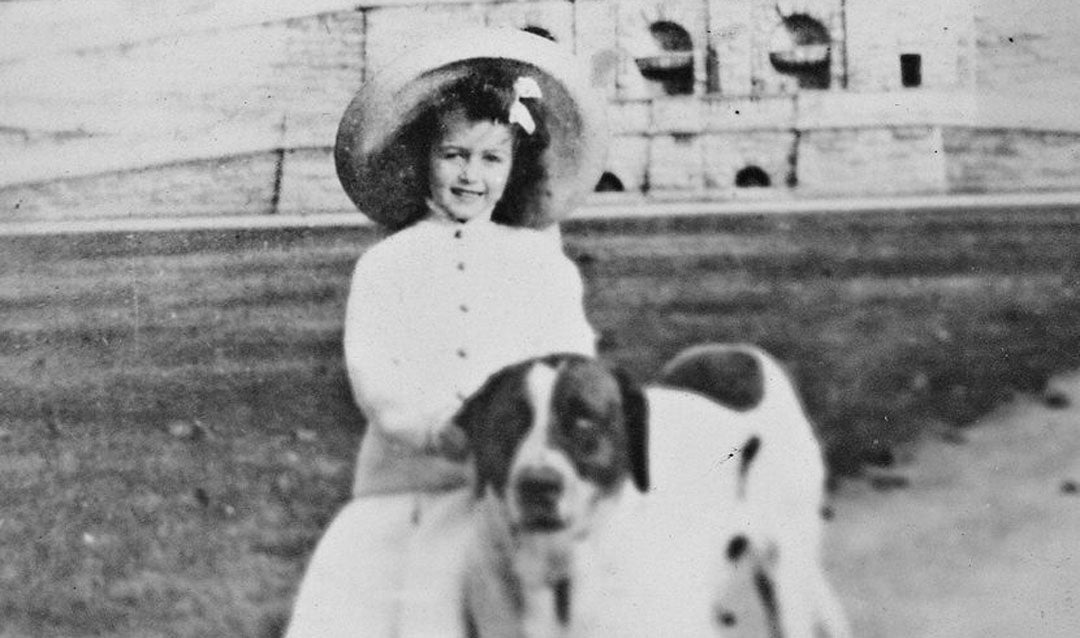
<point x="553" y="437"/>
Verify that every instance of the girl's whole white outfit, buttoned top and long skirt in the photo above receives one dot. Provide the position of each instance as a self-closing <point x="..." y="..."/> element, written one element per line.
<point x="433" y="313"/>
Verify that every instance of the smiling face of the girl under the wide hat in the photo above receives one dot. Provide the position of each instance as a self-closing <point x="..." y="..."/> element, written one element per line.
<point x="469" y="166"/>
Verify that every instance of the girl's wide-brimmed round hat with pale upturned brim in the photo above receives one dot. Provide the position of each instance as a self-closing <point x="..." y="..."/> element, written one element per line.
<point x="381" y="178"/>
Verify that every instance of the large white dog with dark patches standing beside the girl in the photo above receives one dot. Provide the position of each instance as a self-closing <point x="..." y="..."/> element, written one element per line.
<point x="614" y="511"/>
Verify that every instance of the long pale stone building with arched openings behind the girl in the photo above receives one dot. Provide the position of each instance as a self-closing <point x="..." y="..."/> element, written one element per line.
<point x="710" y="100"/>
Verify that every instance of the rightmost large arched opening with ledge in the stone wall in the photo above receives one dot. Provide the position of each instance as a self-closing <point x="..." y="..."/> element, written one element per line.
<point x="802" y="48"/>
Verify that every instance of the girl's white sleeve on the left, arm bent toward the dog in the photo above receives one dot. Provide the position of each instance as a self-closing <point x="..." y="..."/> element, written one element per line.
<point x="394" y="390"/>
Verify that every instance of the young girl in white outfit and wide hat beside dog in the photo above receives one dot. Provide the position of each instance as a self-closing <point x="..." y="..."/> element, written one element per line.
<point x="493" y="148"/>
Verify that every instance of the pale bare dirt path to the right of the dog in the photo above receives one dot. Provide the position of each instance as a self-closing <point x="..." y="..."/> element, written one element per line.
<point x="985" y="539"/>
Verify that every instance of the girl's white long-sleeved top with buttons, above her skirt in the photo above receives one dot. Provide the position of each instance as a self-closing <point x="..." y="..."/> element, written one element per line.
<point x="433" y="313"/>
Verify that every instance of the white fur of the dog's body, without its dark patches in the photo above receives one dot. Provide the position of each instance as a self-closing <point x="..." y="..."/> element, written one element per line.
<point x="655" y="565"/>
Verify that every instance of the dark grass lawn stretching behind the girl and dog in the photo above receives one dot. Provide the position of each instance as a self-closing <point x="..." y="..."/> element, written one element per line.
<point x="177" y="430"/>
